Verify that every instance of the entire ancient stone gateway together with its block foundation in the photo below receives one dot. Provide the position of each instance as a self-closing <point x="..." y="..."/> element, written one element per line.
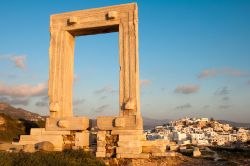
<point x="118" y="136"/>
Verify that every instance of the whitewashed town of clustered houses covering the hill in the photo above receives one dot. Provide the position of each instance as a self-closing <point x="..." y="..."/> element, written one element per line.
<point x="200" y="132"/>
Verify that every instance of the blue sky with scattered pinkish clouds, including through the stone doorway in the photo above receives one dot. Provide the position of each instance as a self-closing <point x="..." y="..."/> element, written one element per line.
<point x="194" y="58"/>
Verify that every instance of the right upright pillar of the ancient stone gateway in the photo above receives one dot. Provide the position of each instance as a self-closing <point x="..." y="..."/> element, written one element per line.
<point x="129" y="65"/>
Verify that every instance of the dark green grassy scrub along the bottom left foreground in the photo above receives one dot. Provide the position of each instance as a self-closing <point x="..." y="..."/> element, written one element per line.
<point x="65" y="158"/>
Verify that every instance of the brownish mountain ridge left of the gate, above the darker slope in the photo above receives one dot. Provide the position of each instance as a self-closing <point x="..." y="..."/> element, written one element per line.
<point x="19" y="113"/>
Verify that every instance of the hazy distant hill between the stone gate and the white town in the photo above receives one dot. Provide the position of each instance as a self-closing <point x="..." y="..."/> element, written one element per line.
<point x="149" y="123"/>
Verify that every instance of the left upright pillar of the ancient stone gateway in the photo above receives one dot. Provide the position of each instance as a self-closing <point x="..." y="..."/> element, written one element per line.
<point x="61" y="73"/>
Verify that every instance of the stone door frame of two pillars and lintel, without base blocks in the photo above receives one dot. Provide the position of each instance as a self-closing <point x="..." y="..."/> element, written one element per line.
<point x="95" y="21"/>
